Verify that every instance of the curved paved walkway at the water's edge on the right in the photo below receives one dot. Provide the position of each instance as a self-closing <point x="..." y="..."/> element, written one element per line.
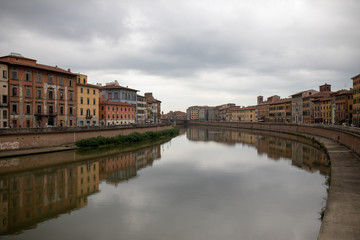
<point x="342" y="214"/>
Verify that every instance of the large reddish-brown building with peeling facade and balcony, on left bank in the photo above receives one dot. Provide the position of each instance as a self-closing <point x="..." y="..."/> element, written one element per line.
<point x="39" y="95"/>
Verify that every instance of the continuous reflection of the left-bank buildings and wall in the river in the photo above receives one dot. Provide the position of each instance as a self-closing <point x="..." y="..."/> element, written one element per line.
<point x="38" y="194"/>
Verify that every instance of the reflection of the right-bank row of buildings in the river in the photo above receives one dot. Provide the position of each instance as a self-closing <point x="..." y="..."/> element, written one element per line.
<point x="302" y="152"/>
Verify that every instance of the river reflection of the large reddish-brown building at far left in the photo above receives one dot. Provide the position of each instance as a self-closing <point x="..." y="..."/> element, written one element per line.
<point x="32" y="197"/>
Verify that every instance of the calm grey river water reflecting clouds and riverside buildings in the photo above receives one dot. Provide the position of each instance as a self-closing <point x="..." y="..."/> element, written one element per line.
<point x="203" y="184"/>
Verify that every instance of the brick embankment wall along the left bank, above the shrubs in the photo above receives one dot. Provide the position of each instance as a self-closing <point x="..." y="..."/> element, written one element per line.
<point x="14" y="139"/>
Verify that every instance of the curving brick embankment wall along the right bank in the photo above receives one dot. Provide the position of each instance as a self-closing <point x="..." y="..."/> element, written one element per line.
<point x="347" y="136"/>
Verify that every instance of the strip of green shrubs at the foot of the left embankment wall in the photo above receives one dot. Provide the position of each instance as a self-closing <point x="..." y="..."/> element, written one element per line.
<point x="126" y="139"/>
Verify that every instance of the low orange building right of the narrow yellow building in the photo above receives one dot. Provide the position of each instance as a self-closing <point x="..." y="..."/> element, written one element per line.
<point x="116" y="113"/>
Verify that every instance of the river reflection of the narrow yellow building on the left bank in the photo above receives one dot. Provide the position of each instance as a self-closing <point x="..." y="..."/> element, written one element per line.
<point x="88" y="181"/>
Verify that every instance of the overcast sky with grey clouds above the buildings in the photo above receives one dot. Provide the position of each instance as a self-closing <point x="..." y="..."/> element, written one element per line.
<point x="192" y="52"/>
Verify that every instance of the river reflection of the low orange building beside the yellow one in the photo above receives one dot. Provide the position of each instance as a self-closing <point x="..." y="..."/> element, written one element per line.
<point x="118" y="168"/>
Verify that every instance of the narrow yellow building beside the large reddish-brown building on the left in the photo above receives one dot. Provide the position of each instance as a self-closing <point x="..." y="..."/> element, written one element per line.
<point x="87" y="102"/>
